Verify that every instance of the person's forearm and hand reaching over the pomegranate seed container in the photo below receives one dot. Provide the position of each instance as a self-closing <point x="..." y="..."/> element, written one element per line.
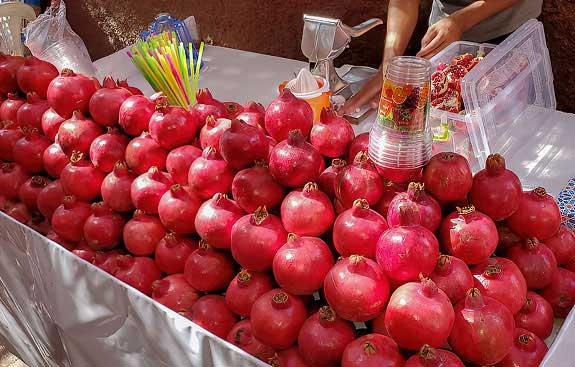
<point x="451" y="28"/>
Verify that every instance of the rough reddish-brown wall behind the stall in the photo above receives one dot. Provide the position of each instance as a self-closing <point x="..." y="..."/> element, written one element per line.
<point x="274" y="27"/>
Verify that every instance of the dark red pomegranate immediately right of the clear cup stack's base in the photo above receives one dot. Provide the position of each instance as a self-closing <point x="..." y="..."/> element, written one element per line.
<point x="447" y="177"/>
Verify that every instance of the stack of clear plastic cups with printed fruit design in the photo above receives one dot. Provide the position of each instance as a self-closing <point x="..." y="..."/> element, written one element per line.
<point x="400" y="140"/>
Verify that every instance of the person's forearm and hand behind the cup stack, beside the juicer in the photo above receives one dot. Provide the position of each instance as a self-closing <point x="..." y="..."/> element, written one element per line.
<point x="401" y="21"/>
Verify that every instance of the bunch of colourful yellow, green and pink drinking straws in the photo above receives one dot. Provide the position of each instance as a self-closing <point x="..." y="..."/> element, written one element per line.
<point x="163" y="61"/>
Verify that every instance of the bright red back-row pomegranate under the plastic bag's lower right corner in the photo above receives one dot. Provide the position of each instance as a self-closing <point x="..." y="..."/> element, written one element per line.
<point x="70" y="92"/>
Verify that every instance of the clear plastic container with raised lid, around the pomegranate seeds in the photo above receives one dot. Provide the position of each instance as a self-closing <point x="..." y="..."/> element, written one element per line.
<point x="511" y="78"/>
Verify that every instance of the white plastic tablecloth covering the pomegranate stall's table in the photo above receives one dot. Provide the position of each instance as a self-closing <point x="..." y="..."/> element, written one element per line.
<point x="58" y="310"/>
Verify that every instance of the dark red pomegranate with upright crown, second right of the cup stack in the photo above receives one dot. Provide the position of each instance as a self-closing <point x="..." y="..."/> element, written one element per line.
<point x="496" y="190"/>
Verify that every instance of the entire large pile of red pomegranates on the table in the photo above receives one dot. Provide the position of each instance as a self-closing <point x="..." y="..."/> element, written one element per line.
<point x="278" y="234"/>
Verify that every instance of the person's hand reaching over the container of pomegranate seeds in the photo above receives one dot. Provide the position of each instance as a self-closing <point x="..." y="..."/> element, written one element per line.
<point x="439" y="36"/>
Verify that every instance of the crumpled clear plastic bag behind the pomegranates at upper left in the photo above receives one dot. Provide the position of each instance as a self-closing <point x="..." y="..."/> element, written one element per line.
<point x="50" y="38"/>
